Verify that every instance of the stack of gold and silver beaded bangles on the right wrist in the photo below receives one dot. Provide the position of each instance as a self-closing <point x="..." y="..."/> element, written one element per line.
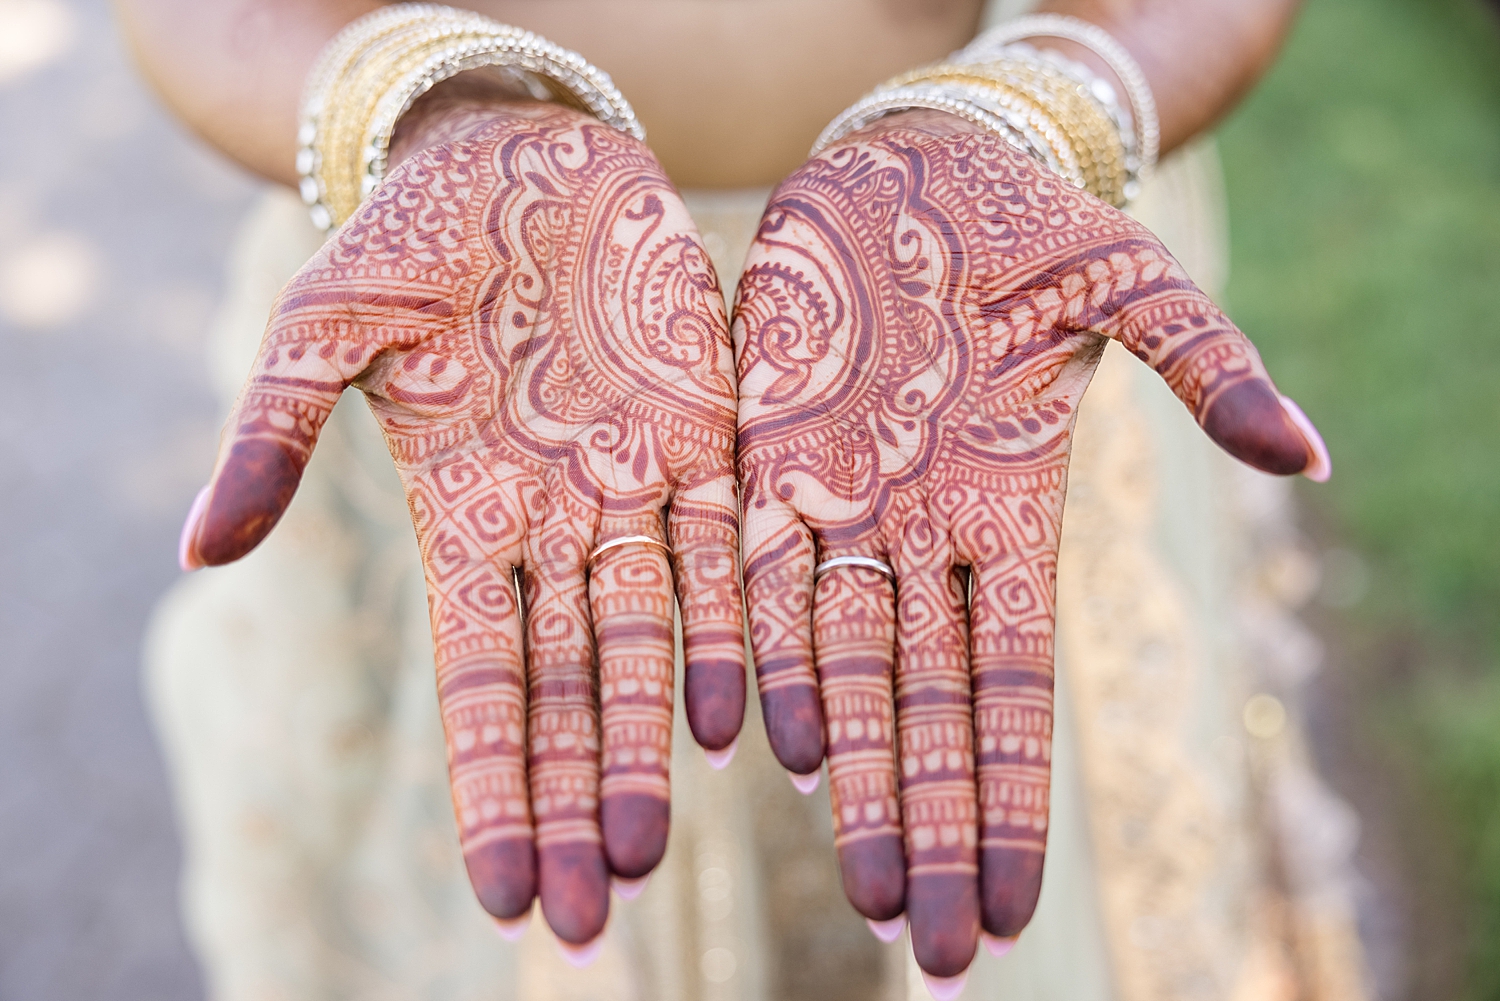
<point x="1042" y="103"/>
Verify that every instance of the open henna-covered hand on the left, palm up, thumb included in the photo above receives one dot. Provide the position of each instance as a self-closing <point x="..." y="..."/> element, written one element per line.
<point x="544" y="341"/>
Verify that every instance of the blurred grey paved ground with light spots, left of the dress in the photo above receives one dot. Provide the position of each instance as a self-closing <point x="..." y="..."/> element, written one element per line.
<point x="113" y="227"/>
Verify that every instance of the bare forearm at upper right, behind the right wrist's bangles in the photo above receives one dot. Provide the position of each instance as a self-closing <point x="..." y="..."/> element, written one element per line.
<point x="1199" y="56"/>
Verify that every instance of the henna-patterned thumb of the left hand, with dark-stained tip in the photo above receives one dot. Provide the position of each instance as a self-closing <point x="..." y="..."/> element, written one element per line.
<point x="305" y="362"/>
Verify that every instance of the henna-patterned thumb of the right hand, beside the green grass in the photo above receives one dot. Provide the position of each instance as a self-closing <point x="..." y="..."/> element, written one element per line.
<point x="1168" y="322"/>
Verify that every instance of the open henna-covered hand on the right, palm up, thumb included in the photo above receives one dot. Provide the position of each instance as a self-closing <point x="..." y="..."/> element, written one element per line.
<point x="919" y="319"/>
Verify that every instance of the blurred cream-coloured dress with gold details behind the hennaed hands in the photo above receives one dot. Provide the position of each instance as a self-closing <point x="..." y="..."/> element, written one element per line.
<point x="295" y="697"/>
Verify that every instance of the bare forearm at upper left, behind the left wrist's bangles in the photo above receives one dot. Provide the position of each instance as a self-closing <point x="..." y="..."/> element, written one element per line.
<point x="233" y="70"/>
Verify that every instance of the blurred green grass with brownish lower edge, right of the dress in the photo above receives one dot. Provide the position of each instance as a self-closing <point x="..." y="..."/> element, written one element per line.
<point x="1364" y="184"/>
